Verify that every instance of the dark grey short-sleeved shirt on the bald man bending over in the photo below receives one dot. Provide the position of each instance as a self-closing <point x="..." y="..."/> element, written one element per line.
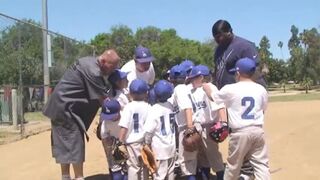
<point x="76" y="96"/>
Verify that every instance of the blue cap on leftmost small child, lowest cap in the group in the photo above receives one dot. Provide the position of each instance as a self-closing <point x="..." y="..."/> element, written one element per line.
<point x="110" y="109"/>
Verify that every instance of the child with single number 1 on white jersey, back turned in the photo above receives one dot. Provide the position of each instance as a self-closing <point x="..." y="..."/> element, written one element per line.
<point x="131" y="133"/>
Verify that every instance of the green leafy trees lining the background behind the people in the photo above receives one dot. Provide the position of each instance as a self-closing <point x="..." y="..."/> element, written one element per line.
<point x="21" y="51"/>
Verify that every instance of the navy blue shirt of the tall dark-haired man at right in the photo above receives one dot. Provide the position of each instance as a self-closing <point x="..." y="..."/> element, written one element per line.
<point x="225" y="59"/>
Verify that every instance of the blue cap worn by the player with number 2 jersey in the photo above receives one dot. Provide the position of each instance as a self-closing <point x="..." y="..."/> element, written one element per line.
<point x="244" y="66"/>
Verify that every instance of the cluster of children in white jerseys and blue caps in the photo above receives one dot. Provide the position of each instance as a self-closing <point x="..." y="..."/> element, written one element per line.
<point x="160" y="117"/>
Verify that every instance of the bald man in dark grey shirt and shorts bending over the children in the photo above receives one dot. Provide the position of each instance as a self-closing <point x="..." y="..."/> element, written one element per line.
<point x="73" y="105"/>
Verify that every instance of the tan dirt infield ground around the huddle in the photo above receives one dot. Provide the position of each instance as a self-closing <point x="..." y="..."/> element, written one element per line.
<point x="292" y="130"/>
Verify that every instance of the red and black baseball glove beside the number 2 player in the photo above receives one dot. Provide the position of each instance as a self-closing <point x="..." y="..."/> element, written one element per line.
<point x="219" y="131"/>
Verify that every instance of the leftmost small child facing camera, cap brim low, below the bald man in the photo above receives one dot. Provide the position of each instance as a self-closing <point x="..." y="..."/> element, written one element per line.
<point x="110" y="116"/>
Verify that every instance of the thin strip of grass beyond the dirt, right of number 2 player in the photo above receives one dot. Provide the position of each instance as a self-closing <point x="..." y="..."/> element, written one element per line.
<point x="297" y="97"/>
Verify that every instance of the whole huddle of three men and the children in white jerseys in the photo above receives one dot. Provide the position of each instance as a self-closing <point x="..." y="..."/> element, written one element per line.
<point x="170" y="128"/>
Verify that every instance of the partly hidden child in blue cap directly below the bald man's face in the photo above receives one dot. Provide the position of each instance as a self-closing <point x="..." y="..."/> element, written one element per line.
<point x="119" y="82"/>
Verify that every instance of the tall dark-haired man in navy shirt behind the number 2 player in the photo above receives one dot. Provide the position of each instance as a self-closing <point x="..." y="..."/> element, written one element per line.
<point x="230" y="49"/>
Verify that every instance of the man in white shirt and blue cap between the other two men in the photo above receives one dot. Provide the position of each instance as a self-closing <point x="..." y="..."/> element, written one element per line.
<point x="141" y="66"/>
